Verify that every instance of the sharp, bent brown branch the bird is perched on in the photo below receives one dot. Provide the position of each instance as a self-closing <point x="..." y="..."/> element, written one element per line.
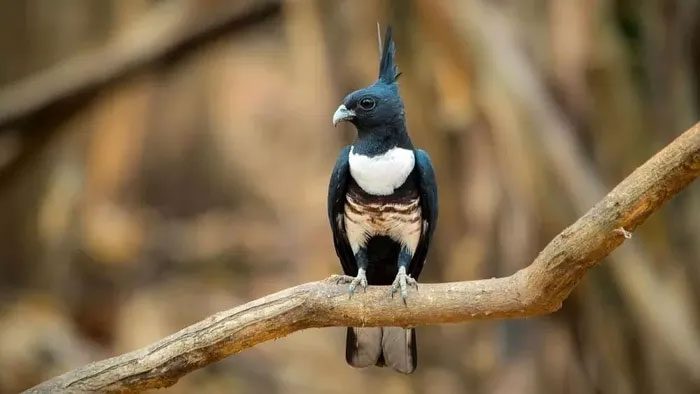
<point x="538" y="289"/>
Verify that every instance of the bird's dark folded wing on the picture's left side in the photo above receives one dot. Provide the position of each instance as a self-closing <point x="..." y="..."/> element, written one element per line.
<point x="336" y="207"/>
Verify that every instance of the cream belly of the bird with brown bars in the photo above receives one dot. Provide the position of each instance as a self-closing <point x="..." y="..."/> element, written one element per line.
<point x="401" y="221"/>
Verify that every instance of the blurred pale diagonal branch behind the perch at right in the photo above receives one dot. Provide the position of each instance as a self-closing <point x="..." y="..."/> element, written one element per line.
<point x="492" y="39"/>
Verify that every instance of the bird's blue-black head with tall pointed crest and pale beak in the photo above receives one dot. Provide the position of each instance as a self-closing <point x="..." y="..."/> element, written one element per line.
<point x="378" y="104"/>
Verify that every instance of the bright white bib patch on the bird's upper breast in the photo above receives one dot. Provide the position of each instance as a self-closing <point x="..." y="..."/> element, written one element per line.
<point x="382" y="174"/>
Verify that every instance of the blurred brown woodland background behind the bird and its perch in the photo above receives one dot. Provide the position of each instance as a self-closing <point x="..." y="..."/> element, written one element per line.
<point x="164" y="160"/>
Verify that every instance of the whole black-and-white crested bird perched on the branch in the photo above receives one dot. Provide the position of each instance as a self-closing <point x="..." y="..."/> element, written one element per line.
<point x="382" y="207"/>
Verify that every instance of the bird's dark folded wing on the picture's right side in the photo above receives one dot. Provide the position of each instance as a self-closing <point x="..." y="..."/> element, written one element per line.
<point x="427" y="187"/>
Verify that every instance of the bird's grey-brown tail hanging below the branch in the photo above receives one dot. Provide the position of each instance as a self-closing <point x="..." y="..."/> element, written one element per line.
<point x="391" y="346"/>
